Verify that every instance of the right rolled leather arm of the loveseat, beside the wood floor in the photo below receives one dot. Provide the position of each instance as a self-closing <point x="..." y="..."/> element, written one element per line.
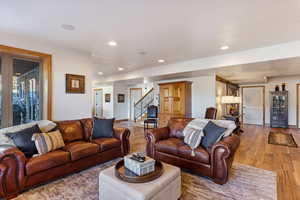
<point x="222" y="155"/>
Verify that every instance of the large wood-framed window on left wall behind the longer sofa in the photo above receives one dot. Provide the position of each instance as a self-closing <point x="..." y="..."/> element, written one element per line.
<point x="23" y="95"/>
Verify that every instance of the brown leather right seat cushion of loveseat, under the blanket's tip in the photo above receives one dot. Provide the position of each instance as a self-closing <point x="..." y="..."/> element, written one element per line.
<point x="201" y="155"/>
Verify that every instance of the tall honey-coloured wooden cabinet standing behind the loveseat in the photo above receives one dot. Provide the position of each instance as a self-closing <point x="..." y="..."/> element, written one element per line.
<point x="175" y="98"/>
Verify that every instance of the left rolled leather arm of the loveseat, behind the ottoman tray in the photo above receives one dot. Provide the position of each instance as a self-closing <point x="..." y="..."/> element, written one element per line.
<point x="153" y="136"/>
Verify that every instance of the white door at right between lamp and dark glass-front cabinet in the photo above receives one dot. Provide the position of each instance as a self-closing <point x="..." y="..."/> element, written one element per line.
<point x="253" y="105"/>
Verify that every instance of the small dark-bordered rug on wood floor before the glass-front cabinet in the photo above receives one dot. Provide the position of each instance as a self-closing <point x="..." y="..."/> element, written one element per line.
<point x="283" y="139"/>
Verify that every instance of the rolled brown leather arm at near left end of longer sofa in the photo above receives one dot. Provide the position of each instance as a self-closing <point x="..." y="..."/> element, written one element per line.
<point x="12" y="171"/>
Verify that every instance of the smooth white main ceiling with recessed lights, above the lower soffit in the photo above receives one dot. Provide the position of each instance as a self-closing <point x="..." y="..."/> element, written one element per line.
<point x="146" y="31"/>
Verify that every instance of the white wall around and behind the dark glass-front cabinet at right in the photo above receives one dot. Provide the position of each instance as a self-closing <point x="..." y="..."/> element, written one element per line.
<point x="291" y="83"/>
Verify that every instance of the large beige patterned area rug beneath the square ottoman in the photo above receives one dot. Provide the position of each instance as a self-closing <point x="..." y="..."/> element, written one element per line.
<point x="245" y="183"/>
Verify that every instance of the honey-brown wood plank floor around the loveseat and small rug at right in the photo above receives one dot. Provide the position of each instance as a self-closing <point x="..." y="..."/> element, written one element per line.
<point x="254" y="150"/>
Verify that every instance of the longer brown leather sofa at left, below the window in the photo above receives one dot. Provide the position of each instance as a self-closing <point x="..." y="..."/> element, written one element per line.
<point x="18" y="173"/>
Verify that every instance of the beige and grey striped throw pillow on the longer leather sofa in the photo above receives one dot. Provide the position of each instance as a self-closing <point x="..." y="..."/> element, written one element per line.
<point x="46" y="142"/>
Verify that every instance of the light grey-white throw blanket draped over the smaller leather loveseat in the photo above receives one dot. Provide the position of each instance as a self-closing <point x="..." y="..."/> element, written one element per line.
<point x="193" y="132"/>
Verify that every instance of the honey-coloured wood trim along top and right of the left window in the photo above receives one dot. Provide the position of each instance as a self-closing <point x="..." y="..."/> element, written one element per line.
<point x="47" y="70"/>
